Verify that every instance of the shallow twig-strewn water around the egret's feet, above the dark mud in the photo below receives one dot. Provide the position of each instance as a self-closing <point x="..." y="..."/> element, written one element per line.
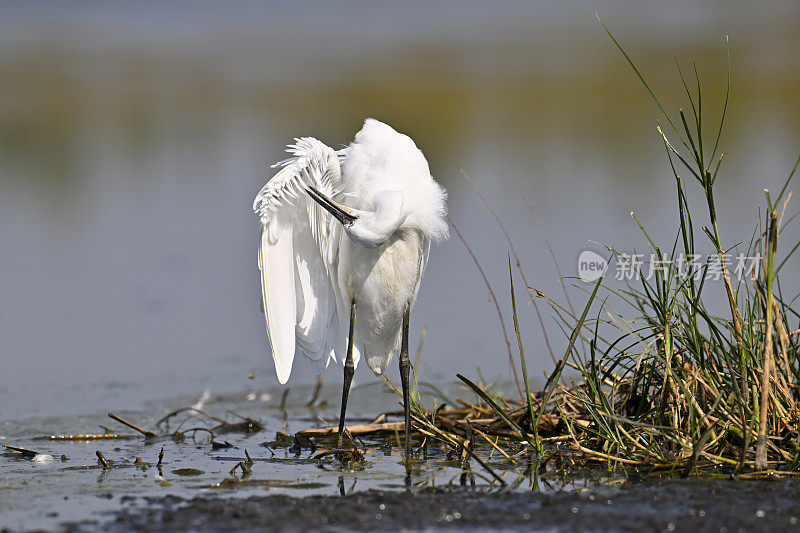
<point x="66" y="483"/>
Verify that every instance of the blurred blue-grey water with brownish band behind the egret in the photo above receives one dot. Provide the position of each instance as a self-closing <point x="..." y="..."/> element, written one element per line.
<point x="134" y="136"/>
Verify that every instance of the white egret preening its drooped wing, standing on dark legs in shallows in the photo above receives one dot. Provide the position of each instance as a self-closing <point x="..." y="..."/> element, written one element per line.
<point x="345" y="237"/>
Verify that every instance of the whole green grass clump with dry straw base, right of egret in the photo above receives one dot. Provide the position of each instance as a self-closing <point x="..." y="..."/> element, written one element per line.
<point x="669" y="384"/>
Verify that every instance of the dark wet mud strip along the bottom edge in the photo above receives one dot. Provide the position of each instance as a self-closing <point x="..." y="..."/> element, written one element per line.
<point x="668" y="505"/>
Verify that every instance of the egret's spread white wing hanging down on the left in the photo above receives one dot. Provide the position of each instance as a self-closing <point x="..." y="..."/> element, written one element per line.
<point x="297" y="256"/>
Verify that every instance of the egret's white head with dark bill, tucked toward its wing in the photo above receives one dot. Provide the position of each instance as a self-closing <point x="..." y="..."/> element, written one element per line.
<point x="369" y="227"/>
